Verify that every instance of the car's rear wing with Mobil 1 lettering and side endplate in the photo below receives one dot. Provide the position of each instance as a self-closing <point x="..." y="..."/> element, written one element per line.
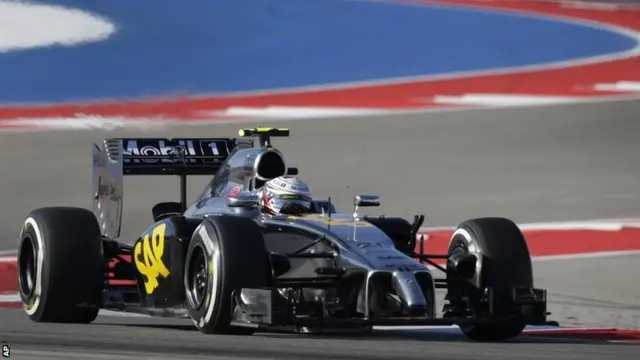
<point x="115" y="158"/>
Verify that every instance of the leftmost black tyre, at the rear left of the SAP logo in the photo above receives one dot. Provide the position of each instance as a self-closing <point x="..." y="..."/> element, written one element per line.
<point x="60" y="265"/>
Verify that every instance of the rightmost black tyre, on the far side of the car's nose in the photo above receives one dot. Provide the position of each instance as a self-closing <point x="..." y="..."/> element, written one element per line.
<point x="505" y="263"/>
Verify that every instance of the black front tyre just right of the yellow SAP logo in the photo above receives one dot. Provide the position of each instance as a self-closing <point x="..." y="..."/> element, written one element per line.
<point x="225" y="253"/>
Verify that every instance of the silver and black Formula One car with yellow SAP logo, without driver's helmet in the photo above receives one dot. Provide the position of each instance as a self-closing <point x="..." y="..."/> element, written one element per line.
<point x="232" y="269"/>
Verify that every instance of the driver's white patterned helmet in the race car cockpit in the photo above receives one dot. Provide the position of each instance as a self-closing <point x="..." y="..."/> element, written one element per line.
<point x="285" y="194"/>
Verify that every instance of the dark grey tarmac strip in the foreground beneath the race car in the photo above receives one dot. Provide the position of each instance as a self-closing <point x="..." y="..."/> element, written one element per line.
<point x="147" y="338"/>
